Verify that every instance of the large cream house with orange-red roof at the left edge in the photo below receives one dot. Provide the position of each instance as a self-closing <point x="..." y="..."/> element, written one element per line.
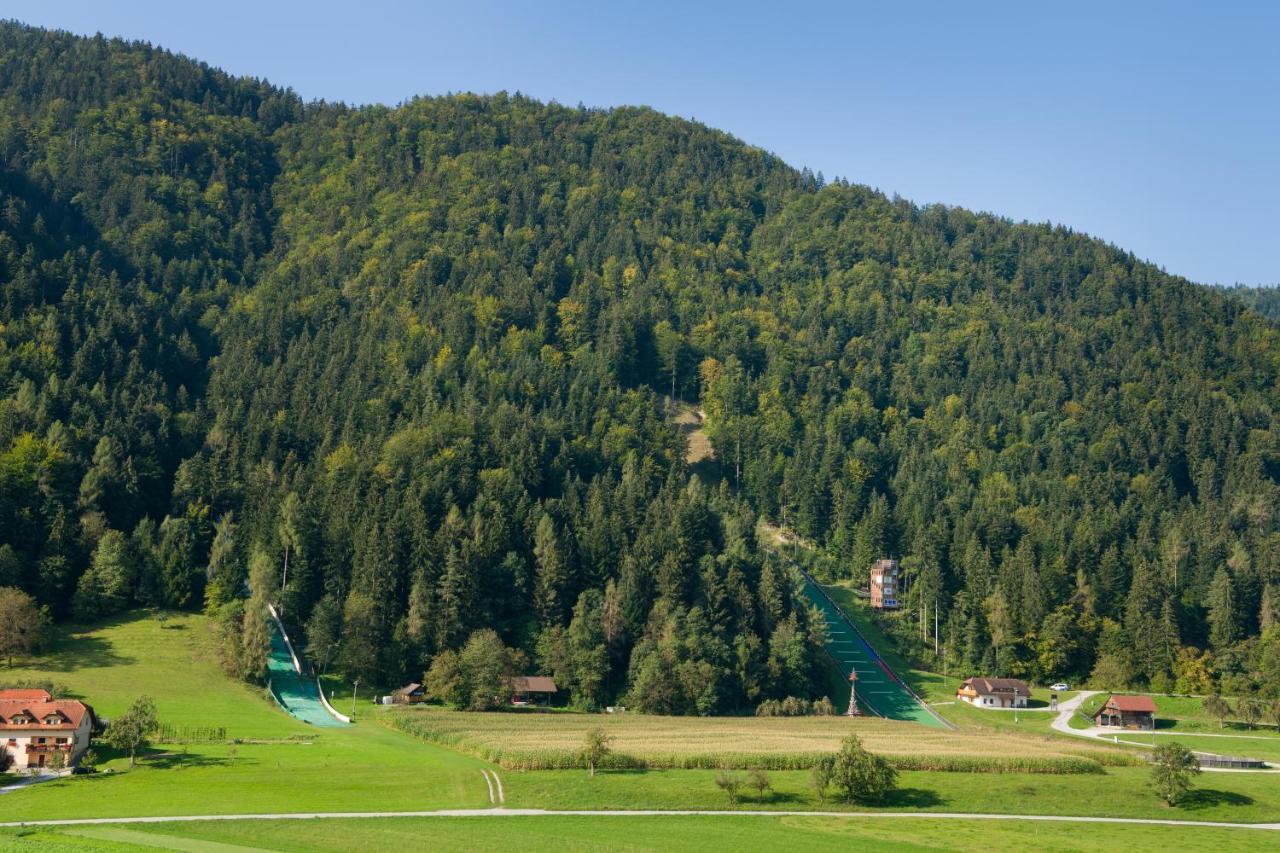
<point x="34" y="727"/>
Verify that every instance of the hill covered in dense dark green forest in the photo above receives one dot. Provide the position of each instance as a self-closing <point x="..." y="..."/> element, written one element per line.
<point x="422" y="354"/>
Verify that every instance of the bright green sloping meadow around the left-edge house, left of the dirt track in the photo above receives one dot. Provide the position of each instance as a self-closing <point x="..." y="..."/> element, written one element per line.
<point x="364" y="768"/>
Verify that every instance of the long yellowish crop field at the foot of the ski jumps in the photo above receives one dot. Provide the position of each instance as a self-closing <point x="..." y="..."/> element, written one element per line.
<point x="554" y="742"/>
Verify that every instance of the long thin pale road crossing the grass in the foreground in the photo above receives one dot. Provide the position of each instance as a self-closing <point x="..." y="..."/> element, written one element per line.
<point x="651" y="813"/>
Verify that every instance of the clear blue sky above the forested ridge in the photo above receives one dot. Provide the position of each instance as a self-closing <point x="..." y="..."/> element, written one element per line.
<point x="1155" y="126"/>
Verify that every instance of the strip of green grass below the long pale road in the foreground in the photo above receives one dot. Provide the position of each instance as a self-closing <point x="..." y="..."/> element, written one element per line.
<point x="546" y="833"/>
